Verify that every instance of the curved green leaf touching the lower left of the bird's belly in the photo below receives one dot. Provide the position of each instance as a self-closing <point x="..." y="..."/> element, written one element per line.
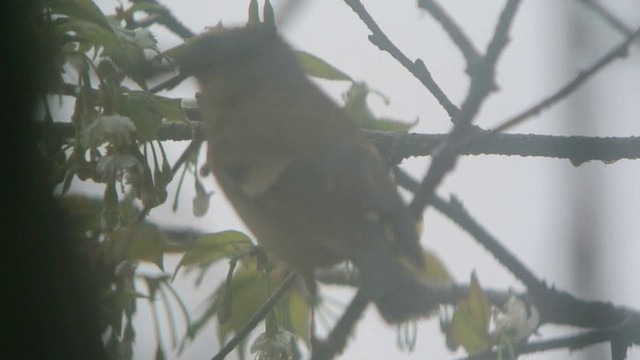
<point x="212" y="247"/>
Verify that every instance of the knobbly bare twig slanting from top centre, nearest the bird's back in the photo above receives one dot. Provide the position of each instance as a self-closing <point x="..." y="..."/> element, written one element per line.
<point x="417" y="68"/>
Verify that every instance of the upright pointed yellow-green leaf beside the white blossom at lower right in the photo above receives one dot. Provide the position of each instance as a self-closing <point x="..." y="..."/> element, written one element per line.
<point x="470" y="323"/>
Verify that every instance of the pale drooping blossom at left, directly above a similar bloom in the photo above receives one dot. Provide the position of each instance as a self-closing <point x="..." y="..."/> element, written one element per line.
<point x="116" y="129"/>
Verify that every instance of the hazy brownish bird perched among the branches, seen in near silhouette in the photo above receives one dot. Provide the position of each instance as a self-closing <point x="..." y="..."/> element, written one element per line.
<point x="298" y="170"/>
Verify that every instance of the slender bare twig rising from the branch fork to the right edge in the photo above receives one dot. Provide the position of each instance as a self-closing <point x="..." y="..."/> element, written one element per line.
<point x="618" y="51"/>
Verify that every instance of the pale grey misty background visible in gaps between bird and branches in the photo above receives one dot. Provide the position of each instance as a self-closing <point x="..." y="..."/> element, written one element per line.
<point x="575" y="226"/>
